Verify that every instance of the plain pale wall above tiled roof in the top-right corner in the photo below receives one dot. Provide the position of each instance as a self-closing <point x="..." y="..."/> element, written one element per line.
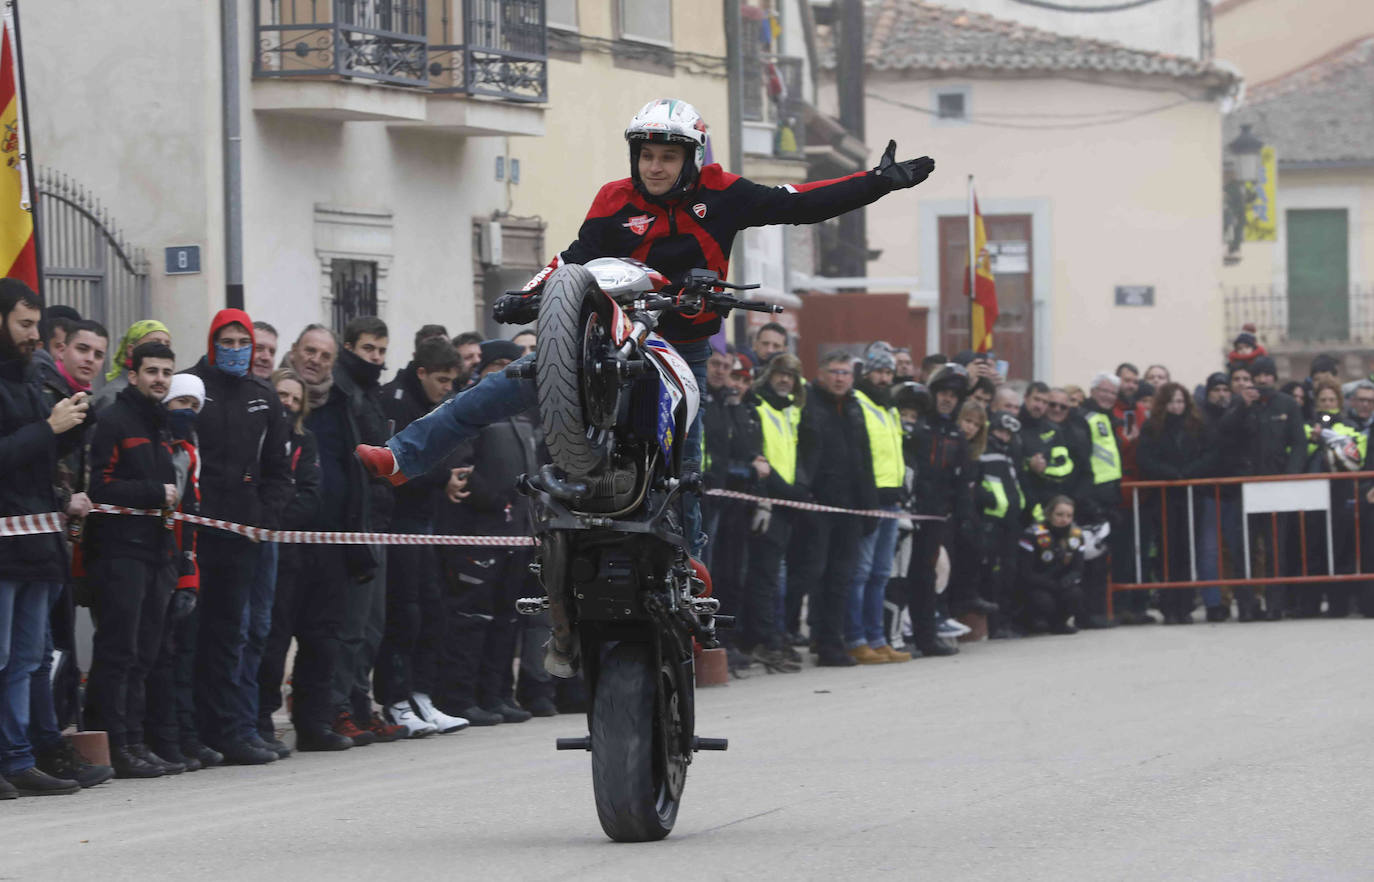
<point x="1269" y="39"/>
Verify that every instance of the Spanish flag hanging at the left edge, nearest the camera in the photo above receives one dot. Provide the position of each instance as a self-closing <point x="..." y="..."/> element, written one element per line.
<point x="19" y="253"/>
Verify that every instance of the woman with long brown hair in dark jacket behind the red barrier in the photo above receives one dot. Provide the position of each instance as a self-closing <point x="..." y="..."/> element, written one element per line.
<point x="1175" y="446"/>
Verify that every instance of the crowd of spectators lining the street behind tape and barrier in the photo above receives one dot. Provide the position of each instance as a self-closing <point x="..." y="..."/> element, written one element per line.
<point x="1002" y="508"/>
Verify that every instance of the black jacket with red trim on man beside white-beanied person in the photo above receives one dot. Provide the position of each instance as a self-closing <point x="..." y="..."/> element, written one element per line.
<point x="131" y="461"/>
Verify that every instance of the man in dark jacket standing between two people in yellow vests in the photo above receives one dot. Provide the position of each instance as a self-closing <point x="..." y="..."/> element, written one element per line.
<point x="836" y="455"/>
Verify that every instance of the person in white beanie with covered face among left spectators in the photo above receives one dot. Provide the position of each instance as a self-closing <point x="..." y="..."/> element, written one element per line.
<point x="171" y="686"/>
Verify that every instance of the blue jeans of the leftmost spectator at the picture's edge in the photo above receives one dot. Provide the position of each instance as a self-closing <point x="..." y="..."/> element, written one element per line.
<point x="24" y="627"/>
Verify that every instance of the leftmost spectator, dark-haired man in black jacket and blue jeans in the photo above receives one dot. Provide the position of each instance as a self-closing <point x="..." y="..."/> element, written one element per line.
<point x="32" y="568"/>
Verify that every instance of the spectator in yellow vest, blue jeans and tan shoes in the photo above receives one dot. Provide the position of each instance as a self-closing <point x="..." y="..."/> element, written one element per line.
<point x="865" y="635"/>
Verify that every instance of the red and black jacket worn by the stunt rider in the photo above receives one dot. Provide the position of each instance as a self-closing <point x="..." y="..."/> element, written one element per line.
<point x="699" y="230"/>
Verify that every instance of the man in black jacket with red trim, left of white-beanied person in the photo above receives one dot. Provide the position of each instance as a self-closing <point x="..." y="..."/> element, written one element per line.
<point x="133" y="560"/>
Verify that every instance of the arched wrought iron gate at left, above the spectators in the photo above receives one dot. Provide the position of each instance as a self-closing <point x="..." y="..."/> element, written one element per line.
<point x="87" y="263"/>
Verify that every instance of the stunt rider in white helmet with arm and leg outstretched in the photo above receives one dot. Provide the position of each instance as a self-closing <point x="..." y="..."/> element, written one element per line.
<point x="674" y="214"/>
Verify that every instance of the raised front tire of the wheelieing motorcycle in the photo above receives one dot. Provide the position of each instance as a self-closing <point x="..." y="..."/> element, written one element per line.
<point x="570" y="321"/>
